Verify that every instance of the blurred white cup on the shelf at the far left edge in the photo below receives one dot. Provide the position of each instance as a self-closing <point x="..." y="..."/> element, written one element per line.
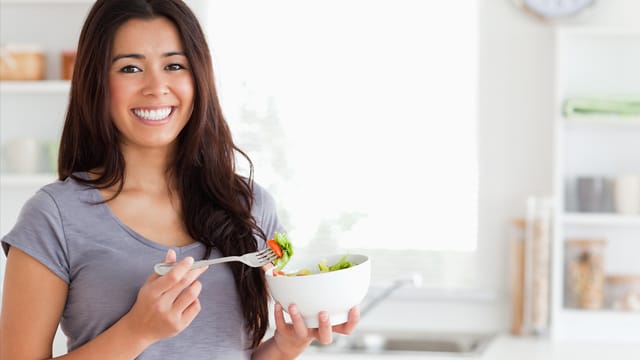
<point x="22" y="155"/>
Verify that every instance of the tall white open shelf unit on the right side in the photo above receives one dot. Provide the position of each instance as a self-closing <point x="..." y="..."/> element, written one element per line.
<point x="594" y="63"/>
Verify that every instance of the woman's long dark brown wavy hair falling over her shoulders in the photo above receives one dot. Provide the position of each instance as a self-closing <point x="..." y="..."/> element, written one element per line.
<point x="216" y="201"/>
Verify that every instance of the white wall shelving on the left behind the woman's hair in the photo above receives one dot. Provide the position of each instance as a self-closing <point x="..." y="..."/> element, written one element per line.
<point x="32" y="112"/>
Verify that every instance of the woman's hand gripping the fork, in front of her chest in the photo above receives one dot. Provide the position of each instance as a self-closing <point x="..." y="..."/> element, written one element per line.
<point x="167" y="304"/>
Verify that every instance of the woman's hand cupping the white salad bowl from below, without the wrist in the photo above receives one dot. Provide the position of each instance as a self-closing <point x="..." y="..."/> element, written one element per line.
<point x="295" y="337"/>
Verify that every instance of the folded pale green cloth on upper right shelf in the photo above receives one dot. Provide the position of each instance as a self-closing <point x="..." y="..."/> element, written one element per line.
<point x="600" y="106"/>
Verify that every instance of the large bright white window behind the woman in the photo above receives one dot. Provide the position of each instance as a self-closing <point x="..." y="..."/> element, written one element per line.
<point x="360" y="118"/>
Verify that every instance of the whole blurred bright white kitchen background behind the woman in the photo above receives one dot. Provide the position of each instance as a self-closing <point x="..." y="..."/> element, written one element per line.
<point x="483" y="153"/>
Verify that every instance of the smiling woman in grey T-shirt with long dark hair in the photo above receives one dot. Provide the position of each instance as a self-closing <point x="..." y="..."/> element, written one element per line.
<point x="146" y="174"/>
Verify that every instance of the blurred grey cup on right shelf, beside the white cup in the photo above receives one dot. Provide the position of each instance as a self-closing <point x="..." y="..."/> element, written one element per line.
<point x="593" y="194"/>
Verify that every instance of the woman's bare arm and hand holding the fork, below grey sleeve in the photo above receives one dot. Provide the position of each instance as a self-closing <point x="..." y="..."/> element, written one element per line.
<point x="34" y="298"/>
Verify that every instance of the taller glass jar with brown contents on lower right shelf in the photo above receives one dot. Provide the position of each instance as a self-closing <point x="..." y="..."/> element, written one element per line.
<point x="584" y="273"/>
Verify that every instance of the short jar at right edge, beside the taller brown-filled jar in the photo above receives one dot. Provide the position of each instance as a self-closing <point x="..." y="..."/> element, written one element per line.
<point x="623" y="292"/>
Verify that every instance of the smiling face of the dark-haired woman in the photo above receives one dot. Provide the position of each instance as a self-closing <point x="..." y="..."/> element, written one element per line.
<point x="150" y="83"/>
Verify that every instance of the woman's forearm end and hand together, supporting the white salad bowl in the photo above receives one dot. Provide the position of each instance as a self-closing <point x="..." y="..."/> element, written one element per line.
<point x="290" y="340"/>
